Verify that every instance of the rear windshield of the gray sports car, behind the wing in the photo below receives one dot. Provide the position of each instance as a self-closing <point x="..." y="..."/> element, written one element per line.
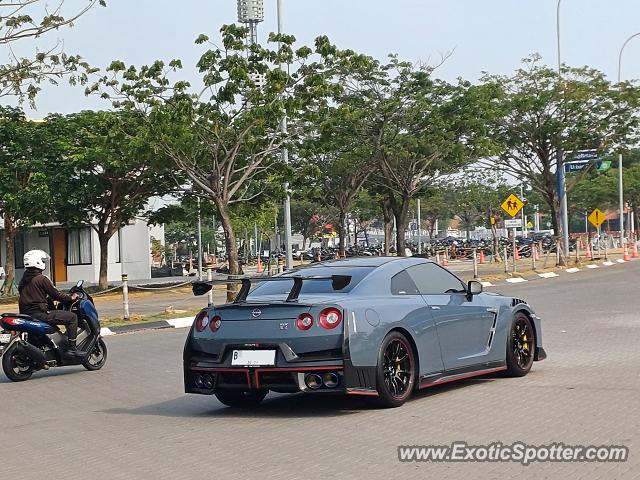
<point x="313" y="286"/>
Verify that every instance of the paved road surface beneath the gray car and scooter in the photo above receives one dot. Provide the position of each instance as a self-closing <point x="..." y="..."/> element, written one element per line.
<point x="132" y="421"/>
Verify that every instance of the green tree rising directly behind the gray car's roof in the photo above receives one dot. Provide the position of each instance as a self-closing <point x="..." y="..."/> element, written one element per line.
<point x="419" y="128"/>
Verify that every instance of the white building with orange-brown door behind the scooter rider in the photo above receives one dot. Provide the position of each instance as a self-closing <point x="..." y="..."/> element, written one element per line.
<point x="75" y="252"/>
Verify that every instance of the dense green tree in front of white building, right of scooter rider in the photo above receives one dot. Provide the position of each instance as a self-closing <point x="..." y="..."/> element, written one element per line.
<point x="108" y="174"/>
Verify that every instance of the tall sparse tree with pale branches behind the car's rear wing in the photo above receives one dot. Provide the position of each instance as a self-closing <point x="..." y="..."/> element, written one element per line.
<point x="227" y="138"/>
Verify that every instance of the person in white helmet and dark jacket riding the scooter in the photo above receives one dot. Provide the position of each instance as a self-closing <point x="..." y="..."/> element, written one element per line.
<point x="37" y="294"/>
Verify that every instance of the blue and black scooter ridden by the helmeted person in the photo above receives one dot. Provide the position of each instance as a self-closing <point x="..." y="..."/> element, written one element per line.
<point x="28" y="345"/>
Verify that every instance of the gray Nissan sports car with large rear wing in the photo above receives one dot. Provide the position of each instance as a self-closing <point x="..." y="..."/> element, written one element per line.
<point x="378" y="326"/>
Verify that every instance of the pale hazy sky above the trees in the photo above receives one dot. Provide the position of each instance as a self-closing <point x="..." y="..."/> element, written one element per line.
<point x="484" y="35"/>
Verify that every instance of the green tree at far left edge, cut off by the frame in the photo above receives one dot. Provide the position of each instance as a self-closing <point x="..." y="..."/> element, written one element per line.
<point x="26" y="158"/>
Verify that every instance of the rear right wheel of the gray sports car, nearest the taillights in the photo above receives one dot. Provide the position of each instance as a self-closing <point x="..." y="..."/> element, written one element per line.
<point x="396" y="370"/>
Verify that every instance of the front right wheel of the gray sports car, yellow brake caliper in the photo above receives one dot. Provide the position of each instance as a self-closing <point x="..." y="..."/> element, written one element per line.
<point x="521" y="345"/>
